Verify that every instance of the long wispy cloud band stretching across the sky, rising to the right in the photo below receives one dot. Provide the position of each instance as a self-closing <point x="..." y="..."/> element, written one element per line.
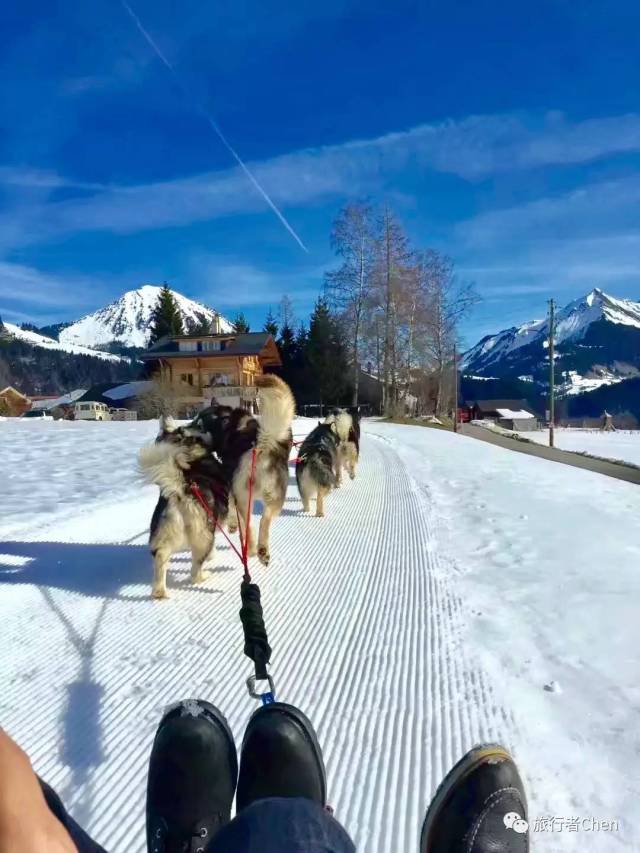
<point x="472" y="148"/>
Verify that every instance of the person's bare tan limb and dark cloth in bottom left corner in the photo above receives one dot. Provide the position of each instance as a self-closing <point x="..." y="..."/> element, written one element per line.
<point x="32" y="817"/>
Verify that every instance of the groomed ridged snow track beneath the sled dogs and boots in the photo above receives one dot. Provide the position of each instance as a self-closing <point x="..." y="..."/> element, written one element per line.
<point x="365" y="626"/>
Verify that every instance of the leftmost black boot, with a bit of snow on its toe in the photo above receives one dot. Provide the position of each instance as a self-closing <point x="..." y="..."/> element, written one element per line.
<point x="192" y="778"/>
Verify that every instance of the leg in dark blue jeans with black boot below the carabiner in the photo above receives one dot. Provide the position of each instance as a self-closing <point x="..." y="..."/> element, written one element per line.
<point x="282" y="791"/>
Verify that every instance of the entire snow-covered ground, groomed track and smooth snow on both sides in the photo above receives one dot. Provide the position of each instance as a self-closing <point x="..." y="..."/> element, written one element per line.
<point x="428" y="611"/>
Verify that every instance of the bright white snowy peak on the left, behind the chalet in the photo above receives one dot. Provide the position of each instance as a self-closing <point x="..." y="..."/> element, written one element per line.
<point x="126" y="320"/>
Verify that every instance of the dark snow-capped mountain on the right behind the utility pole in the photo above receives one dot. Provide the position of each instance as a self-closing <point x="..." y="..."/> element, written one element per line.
<point x="597" y="343"/>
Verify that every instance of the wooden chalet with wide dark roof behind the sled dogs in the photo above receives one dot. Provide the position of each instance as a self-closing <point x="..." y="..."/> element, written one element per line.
<point x="200" y="368"/>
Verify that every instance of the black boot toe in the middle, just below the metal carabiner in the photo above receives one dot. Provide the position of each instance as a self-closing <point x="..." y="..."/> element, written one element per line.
<point x="281" y="757"/>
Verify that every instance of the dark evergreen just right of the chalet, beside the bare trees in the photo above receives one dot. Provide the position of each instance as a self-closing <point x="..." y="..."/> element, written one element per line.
<point x="325" y="354"/>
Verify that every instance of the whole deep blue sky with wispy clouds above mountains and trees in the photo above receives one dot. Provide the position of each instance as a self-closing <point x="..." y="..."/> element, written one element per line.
<point x="505" y="134"/>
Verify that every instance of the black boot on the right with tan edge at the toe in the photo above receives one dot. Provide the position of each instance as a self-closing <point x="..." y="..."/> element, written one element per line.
<point x="480" y="807"/>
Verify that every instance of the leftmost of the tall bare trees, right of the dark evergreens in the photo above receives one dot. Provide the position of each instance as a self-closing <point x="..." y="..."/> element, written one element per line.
<point x="349" y="288"/>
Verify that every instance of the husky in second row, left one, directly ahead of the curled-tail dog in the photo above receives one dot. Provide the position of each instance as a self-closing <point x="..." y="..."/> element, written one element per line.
<point x="317" y="466"/>
